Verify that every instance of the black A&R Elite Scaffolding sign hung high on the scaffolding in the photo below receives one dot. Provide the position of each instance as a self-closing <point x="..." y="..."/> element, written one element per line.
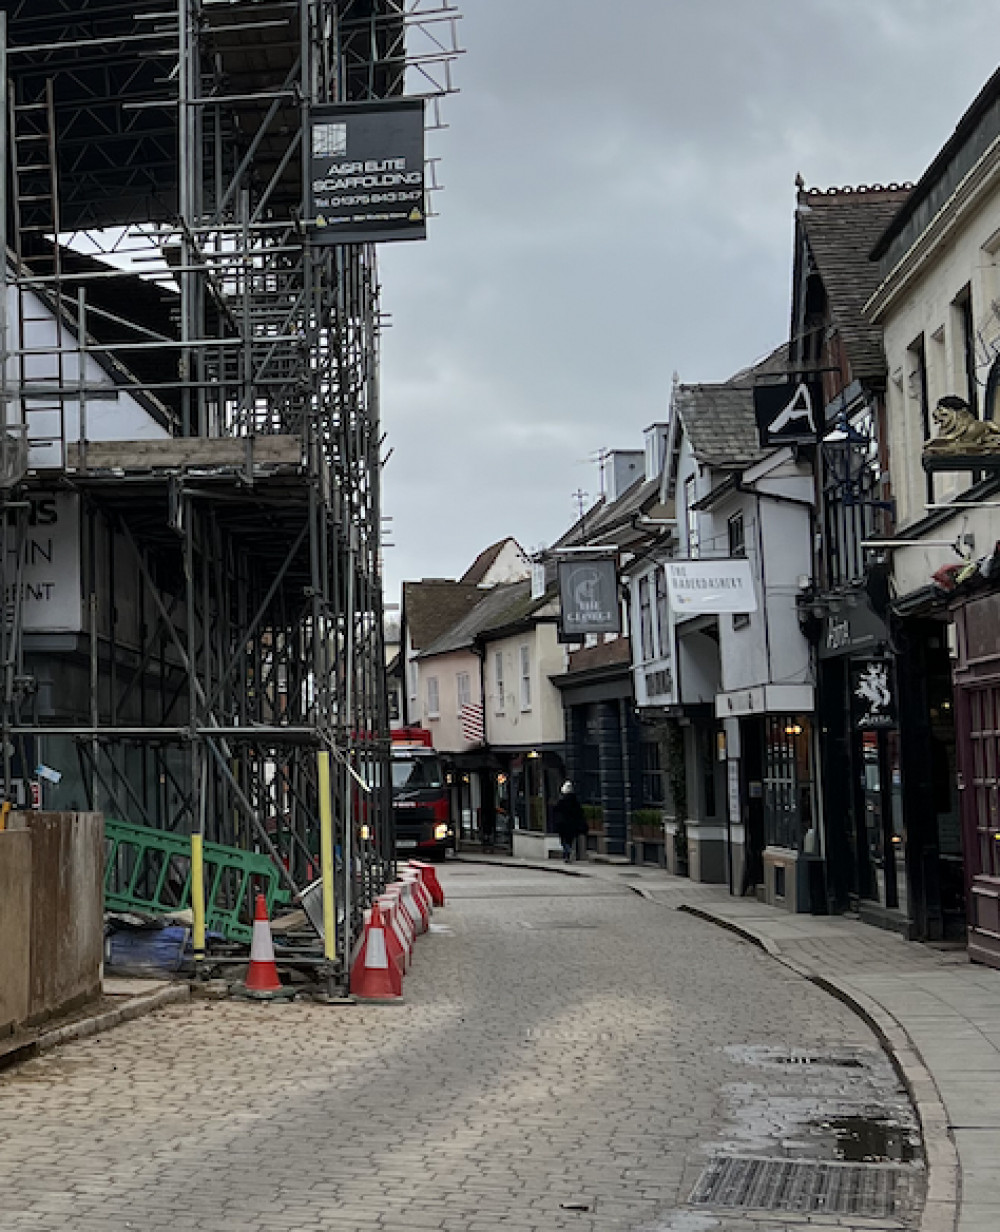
<point x="366" y="172"/>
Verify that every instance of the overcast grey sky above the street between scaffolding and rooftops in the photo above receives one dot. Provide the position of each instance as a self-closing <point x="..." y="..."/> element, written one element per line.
<point x="618" y="206"/>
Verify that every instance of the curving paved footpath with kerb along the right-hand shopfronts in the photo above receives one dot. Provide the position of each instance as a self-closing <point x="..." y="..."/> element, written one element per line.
<point x="937" y="1015"/>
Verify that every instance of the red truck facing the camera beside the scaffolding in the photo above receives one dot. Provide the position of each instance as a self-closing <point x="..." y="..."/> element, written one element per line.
<point x="422" y="798"/>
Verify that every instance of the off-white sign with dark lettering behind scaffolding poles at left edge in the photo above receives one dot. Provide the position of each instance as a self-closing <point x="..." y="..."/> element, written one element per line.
<point x="50" y="566"/>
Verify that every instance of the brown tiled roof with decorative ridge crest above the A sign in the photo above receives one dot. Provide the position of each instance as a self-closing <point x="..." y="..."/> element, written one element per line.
<point x="842" y="227"/>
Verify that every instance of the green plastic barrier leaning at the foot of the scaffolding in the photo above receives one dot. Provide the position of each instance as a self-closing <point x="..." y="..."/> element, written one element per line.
<point x="150" y="872"/>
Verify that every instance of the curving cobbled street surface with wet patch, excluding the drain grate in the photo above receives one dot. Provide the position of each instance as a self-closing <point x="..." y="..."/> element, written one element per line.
<point x="570" y="1055"/>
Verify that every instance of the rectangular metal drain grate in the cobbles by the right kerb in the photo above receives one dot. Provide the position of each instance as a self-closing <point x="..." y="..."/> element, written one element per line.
<point x="806" y="1187"/>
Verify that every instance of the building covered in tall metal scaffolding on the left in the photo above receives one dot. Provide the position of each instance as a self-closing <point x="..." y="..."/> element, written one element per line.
<point x="190" y="426"/>
